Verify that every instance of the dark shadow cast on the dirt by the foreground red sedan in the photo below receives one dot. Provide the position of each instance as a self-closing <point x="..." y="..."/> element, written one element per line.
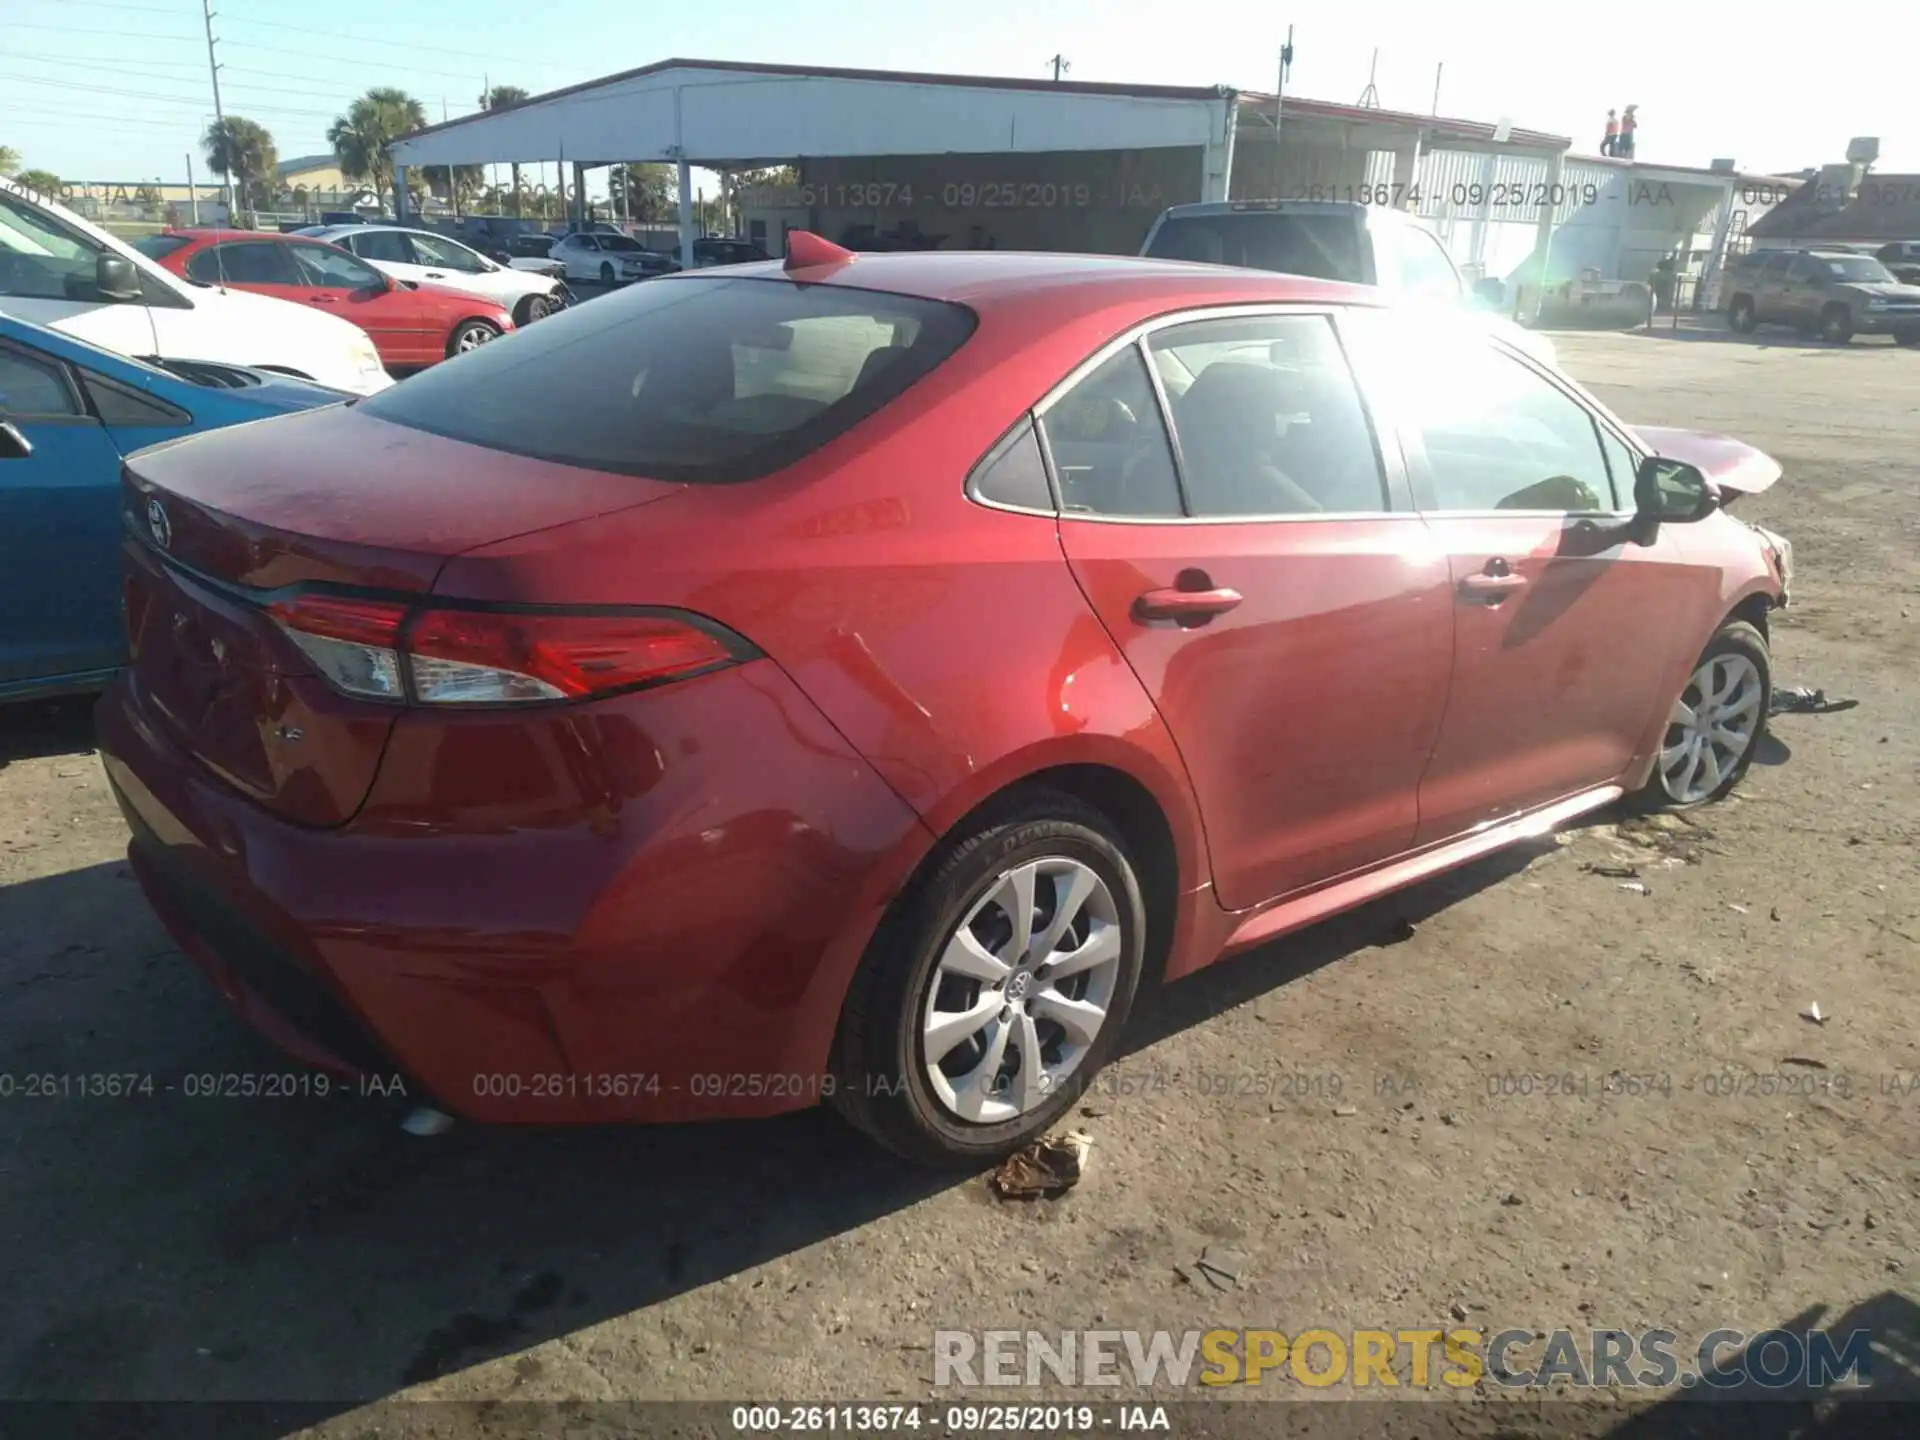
<point x="172" y="1237"/>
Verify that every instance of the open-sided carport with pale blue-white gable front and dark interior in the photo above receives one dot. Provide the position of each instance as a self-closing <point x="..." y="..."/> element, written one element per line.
<point x="901" y="153"/>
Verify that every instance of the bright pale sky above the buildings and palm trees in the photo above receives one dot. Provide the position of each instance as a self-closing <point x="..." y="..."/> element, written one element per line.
<point x="118" y="89"/>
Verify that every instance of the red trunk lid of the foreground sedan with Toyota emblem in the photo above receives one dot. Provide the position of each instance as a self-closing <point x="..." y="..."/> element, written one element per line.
<point x="327" y="500"/>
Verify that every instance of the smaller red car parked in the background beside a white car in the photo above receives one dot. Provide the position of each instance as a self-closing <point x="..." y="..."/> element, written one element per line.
<point x="412" y="325"/>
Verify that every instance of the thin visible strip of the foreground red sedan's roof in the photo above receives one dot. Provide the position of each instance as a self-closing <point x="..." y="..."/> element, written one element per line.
<point x="1007" y="277"/>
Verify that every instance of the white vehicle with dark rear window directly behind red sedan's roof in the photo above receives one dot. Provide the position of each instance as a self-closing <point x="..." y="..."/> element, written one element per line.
<point x="1332" y="241"/>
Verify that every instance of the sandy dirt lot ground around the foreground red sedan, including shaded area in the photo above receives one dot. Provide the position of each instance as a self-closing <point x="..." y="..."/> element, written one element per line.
<point x="1345" y="1111"/>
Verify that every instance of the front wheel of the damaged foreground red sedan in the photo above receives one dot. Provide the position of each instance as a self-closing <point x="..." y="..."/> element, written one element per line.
<point x="1716" y="725"/>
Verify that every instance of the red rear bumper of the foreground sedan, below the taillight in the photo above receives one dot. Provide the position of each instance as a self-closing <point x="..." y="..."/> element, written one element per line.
<point x="625" y="911"/>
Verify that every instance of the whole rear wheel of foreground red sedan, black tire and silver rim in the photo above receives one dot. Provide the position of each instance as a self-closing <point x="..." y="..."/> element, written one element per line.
<point x="997" y="986"/>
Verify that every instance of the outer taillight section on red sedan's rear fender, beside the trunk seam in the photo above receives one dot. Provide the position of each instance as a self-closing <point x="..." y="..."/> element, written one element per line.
<point x="466" y="658"/>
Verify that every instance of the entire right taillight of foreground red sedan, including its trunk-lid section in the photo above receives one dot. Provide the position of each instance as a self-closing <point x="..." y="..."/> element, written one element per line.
<point x="491" y="658"/>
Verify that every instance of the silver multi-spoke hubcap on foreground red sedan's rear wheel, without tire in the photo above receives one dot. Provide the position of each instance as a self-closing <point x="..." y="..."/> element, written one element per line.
<point x="1022" y="990"/>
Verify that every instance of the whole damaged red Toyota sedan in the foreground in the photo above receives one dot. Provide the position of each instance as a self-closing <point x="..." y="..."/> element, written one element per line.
<point x="853" y="679"/>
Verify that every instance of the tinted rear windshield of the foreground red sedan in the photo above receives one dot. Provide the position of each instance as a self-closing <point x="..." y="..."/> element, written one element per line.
<point x="686" y="379"/>
